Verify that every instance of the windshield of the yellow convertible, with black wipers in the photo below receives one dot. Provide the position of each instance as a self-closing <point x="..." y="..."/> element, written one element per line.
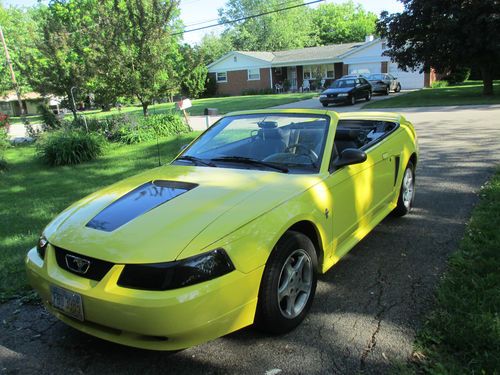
<point x="292" y="143"/>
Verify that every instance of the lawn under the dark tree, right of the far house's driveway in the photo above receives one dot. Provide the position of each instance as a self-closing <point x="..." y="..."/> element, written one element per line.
<point x="468" y="93"/>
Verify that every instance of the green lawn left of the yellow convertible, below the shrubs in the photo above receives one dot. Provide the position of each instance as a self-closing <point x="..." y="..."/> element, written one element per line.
<point x="31" y="194"/>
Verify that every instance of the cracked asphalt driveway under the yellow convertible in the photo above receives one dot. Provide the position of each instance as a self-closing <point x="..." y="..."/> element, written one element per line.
<point x="367" y="308"/>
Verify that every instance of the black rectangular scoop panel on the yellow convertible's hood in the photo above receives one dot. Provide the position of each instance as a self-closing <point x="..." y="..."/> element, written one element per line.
<point x="137" y="202"/>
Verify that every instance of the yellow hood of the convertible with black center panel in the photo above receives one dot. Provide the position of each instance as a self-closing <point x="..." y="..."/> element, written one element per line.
<point x="153" y="216"/>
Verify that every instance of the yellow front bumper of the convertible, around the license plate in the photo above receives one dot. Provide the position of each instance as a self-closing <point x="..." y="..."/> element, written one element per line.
<point x="167" y="320"/>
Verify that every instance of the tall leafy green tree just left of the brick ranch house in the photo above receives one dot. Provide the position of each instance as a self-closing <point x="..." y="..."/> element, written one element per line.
<point x="145" y="55"/>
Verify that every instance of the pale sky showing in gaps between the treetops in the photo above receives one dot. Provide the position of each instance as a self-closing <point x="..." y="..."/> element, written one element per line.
<point x="197" y="11"/>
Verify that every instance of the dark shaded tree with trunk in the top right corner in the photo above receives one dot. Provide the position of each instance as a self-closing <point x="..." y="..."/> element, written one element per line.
<point x="445" y="35"/>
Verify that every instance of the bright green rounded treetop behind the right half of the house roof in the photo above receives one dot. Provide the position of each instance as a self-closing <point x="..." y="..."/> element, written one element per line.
<point x="342" y="23"/>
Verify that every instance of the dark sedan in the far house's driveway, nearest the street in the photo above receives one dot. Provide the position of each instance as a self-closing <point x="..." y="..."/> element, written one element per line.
<point x="346" y="90"/>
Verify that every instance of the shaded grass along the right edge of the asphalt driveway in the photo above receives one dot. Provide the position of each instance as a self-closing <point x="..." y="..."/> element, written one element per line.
<point x="462" y="333"/>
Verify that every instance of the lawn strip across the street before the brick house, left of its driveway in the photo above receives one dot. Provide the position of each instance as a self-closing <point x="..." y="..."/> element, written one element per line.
<point x="224" y="105"/>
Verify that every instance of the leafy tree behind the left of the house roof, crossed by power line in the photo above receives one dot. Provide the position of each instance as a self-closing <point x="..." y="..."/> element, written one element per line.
<point x="282" y="30"/>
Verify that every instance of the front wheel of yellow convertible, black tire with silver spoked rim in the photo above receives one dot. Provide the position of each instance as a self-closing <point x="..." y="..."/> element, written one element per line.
<point x="271" y="310"/>
